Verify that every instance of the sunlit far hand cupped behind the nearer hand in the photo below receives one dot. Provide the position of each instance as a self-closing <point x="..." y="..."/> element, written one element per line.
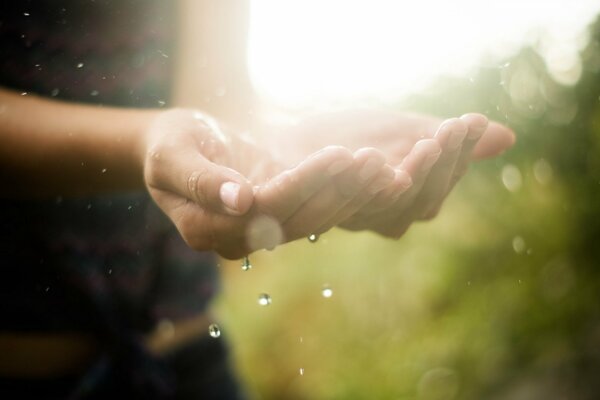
<point x="428" y="159"/>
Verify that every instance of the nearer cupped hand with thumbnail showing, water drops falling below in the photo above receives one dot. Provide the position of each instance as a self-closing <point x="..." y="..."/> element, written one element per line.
<point x="228" y="195"/>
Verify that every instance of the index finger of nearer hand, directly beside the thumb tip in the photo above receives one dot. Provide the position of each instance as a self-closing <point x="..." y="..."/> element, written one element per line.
<point x="284" y="194"/>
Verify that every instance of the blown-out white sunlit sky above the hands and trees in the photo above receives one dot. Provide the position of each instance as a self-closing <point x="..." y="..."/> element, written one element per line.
<point x="313" y="52"/>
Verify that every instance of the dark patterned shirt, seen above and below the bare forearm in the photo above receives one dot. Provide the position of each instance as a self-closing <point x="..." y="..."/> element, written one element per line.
<point x="110" y="263"/>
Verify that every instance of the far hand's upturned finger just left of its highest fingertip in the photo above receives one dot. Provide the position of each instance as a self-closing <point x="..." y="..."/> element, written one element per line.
<point x="451" y="135"/>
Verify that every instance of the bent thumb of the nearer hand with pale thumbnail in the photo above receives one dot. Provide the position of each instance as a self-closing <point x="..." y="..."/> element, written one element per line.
<point x="207" y="184"/>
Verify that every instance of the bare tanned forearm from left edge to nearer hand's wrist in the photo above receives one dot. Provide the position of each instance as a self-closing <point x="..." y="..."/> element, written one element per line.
<point x="53" y="148"/>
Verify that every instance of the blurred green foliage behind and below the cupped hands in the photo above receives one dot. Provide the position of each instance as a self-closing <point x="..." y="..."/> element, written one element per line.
<point x="497" y="298"/>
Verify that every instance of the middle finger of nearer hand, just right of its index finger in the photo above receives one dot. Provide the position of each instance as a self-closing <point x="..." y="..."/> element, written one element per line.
<point x="318" y="213"/>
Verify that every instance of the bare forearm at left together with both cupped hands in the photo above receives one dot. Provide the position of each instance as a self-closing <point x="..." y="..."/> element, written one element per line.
<point x="213" y="187"/>
